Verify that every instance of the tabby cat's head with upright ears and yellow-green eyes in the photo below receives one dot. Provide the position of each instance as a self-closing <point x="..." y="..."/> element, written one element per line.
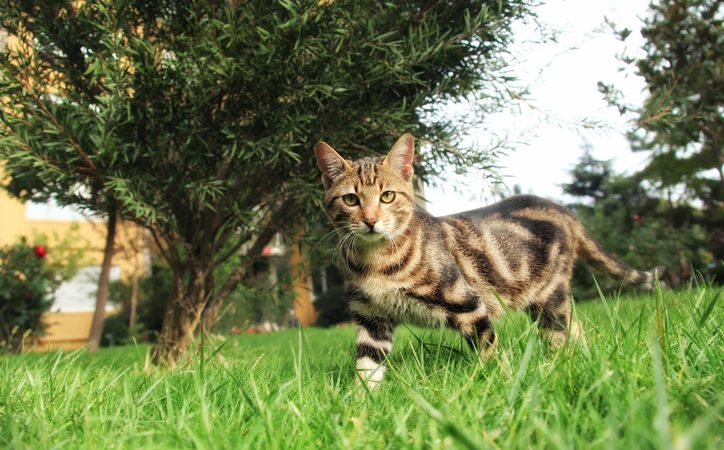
<point x="371" y="197"/>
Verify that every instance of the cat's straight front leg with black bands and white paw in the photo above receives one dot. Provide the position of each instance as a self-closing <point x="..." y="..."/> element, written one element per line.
<point x="373" y="344"/>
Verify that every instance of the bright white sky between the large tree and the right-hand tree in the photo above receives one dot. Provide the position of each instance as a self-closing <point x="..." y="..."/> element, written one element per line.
<point x="562" y="79"/>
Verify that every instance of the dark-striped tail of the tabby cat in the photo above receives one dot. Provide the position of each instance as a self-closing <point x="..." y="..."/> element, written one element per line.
<point x="602" y="259"/>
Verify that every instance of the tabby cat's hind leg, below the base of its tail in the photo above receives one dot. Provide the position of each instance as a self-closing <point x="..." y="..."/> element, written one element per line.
<point x="553" y="315"/>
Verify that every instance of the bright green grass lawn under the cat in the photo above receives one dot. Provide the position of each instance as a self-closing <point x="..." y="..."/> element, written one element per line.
<point x="650" y="376"/>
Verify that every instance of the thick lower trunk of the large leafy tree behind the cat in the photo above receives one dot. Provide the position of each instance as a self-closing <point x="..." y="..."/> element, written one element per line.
<point x="183" y="314"/>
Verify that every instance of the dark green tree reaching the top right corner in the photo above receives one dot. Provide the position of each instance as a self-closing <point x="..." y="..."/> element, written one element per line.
<point x="682" y="121"/>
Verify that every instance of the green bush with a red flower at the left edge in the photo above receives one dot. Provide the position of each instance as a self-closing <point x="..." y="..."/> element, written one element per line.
<point x="27" y="285"/>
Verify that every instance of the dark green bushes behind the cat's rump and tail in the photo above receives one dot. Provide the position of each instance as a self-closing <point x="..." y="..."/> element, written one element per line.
<point x="631" y="218"/>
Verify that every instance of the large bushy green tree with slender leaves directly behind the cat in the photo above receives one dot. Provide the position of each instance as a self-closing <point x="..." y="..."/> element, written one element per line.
<point x="198" y="118"/>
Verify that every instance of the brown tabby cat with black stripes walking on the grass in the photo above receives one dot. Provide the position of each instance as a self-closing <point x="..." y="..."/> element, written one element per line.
<point x="405" y="265"/>
